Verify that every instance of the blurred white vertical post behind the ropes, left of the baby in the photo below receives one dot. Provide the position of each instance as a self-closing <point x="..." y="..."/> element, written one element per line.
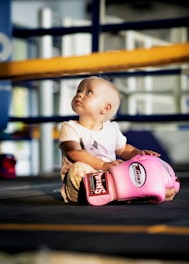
<point x="46" y="98"/>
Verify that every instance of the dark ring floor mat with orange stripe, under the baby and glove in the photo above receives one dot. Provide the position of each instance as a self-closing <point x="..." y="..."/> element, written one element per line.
<point x="33" y="216"/>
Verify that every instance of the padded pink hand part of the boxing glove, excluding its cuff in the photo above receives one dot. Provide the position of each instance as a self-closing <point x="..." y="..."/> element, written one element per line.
<point x="146" y="177"/>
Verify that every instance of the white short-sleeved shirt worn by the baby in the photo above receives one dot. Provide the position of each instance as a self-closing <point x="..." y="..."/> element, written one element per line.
<point x="100" y="143"/>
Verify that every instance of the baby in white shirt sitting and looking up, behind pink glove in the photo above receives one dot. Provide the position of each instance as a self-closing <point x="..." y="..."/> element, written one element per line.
<point x="94" y="142"/>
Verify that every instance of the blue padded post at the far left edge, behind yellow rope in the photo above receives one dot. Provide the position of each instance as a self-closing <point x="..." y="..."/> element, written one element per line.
<point x="5" y="55"/>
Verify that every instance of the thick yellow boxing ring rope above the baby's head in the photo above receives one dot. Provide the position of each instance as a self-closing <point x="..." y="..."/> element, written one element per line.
<point x="95" y="63"/>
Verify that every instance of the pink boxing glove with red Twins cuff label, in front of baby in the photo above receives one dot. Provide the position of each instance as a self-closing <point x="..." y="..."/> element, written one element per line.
<point x="143" y="176"/>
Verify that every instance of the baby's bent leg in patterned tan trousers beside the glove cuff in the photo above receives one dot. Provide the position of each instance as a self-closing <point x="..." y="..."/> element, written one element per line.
<point x="72" y="184"/>
